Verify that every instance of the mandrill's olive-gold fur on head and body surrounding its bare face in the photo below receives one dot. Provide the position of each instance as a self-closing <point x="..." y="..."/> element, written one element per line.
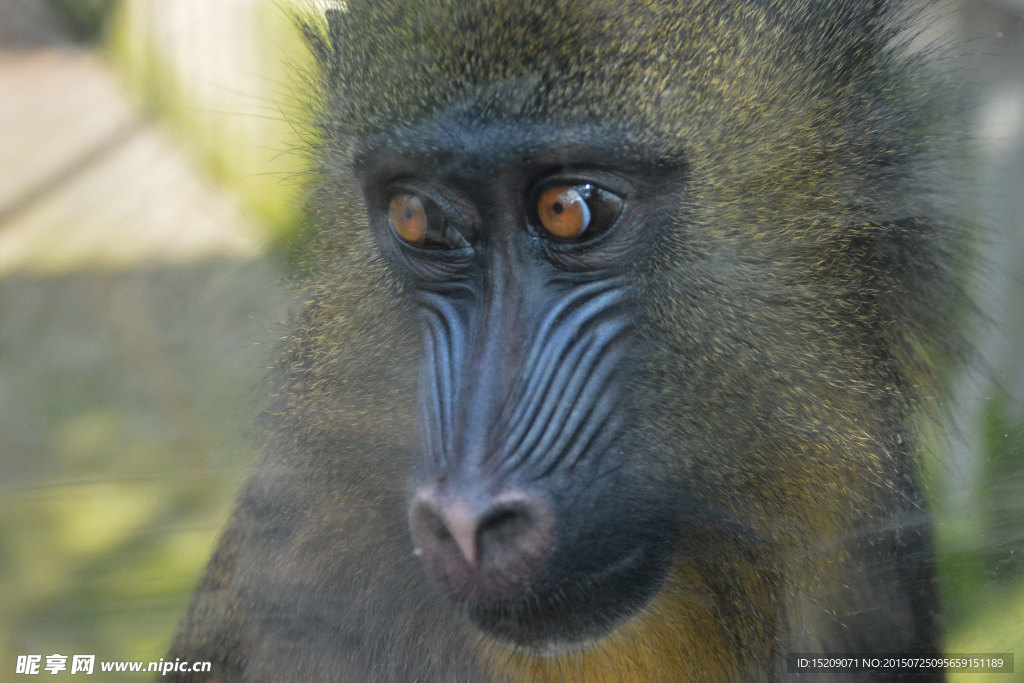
<point x="791" y="309"/>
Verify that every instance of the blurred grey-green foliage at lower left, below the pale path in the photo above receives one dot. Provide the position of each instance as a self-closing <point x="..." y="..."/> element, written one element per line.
<point x="127" y="396"/>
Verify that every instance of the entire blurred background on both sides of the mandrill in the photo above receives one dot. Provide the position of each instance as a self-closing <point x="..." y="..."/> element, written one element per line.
<point x="149" y="193"/>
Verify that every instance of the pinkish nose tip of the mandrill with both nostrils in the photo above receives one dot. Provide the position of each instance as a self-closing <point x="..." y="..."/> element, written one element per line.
<point x="483" y="545"/>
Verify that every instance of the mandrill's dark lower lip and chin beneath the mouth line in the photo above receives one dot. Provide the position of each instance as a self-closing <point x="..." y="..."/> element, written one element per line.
<point x="577" y="611"/>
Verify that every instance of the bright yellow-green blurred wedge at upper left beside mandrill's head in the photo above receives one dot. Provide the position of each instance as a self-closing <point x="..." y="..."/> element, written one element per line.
<point x="244" y="126"/>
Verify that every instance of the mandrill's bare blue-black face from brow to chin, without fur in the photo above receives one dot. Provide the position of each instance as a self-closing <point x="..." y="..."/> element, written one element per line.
<point x="518" y="244"/>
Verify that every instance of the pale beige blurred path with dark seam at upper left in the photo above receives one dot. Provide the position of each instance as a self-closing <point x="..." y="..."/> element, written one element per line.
<point x="83" y="180"/>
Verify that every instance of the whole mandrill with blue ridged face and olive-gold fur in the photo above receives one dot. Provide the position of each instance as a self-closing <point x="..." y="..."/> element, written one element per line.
<point x="621" y="316"/>
